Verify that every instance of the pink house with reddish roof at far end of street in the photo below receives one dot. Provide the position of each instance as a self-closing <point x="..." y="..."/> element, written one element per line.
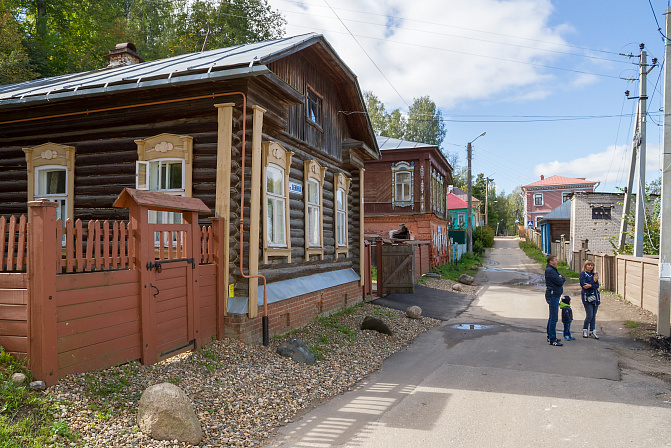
<point x="541" y="197"/>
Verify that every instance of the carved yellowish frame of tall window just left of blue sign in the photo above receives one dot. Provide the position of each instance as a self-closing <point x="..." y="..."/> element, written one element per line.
<point x="276" y="154"/>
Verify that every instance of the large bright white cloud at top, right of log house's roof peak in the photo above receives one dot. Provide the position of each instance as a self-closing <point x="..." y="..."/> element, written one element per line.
<point x="452" y="51"/>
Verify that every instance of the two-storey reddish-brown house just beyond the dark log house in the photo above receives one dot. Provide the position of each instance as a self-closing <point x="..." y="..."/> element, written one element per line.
<point x="407" y="187"/>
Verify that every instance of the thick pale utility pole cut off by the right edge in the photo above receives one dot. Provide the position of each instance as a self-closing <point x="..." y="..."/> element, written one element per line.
<point x="664" y="301"/>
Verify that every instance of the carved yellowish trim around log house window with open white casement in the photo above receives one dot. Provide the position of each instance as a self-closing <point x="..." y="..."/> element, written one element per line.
<point x="169" y="146"/>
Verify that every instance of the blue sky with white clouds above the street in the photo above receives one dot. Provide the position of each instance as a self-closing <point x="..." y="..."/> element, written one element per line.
<point x="525" y="71"/>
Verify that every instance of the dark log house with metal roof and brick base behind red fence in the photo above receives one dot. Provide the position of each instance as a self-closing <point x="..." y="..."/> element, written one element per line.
<point x="273" y="132"/>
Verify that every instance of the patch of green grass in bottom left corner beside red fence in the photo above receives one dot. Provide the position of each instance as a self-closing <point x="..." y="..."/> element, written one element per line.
<point x="27" y="419"/>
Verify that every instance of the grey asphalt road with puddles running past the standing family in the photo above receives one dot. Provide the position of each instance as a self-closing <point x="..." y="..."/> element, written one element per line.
<point x="488" y="378"/>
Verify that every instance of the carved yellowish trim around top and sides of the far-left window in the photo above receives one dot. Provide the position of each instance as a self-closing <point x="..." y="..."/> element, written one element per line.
<point x="52" y="154"/>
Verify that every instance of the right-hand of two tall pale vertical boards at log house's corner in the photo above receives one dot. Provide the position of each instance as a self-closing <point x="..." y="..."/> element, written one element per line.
<point x="255" y="210"/>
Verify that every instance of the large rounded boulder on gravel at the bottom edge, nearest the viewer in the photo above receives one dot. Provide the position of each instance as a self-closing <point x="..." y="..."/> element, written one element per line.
<point x="166" y="413"/>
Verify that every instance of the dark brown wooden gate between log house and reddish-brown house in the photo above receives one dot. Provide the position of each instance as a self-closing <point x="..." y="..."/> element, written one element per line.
<point x="397" y="266"/>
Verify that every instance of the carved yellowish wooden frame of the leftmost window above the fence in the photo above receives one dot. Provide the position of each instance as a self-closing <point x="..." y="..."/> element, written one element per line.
<point x="52" y="156"/>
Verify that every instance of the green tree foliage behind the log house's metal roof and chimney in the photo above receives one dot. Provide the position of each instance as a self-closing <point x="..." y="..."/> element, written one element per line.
<point x="65" y="36"/>
